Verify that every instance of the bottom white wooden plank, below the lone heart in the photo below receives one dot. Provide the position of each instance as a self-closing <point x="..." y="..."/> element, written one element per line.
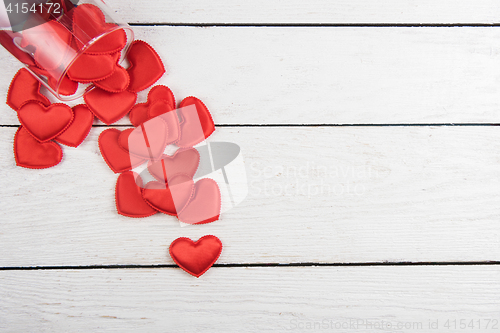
<point x="252" y="299"/>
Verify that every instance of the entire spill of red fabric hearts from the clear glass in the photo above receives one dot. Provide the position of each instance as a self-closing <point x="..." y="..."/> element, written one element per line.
<point x="157" y="123"/>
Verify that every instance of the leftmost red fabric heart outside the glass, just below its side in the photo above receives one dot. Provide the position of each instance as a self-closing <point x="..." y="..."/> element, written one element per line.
<point x="24" y="87"/>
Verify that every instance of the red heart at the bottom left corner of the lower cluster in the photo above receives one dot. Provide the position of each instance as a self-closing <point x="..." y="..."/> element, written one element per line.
<point x="128" y="197"/>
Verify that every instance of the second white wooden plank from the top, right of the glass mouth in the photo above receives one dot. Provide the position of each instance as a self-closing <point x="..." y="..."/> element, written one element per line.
<point x="327" y="75"/>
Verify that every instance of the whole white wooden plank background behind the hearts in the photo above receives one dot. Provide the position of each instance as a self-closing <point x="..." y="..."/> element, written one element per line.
<point x="397" y="100"/>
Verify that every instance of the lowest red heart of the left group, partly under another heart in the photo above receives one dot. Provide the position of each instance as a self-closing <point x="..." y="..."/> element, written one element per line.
<point x="32" y="154"/>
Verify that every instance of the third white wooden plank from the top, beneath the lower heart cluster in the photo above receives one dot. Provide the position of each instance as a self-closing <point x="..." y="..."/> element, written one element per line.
<point x="343" y="194"/>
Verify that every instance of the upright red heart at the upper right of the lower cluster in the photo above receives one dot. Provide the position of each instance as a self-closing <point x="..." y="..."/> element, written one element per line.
<point x="197" y="123"/>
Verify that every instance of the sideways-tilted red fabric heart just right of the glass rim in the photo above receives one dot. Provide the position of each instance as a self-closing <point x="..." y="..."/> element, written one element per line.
<point x="146" y="66"/>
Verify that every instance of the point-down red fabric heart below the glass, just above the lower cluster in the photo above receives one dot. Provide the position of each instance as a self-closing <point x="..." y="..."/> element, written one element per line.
<point x="109" y="107"/>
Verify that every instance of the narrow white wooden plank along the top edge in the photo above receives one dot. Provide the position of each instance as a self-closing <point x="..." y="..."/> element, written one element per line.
<point x="312" y="12"/>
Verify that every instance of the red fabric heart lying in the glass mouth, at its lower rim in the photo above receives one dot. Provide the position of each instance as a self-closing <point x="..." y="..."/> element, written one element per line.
<point x="88" y="68"/>
